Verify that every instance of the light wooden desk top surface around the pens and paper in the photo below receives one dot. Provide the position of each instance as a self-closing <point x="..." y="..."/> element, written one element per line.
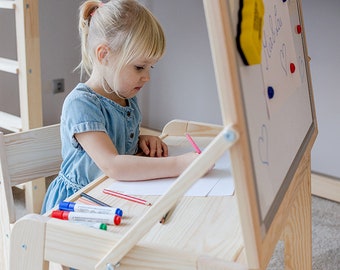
<point x="205" y="225"/>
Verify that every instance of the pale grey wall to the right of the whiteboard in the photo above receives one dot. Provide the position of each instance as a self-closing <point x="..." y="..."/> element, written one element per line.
<point x="322" y="23"/>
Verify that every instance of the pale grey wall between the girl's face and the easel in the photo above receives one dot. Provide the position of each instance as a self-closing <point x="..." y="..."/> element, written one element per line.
<point x="182" y="83"/>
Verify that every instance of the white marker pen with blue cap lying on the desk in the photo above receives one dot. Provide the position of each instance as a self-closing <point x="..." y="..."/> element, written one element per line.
<point x="77" y="207"/>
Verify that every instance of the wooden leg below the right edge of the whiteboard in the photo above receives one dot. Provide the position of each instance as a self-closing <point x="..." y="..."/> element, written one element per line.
<point x="297" y="234"/>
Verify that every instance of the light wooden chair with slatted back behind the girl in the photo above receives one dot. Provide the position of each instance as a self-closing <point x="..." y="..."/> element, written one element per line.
<point x="24" y="156"/>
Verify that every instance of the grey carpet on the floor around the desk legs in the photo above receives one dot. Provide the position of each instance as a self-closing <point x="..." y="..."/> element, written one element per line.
<point x="326" y="235"/>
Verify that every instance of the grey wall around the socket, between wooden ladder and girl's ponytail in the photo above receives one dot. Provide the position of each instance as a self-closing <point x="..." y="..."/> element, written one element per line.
<point x="60" y="52"/>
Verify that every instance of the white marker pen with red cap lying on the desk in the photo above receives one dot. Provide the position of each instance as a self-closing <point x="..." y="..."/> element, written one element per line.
<point x="87" y="217"/>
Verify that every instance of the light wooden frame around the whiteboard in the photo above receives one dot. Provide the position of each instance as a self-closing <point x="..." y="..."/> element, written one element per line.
<point x="227" y="72"/>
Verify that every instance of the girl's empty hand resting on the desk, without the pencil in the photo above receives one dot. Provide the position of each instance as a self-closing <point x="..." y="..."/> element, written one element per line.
<point x="153" y="146"/>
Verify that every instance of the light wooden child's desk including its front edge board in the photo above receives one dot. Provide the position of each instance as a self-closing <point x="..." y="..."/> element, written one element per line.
<point x="199" y="226"/>
